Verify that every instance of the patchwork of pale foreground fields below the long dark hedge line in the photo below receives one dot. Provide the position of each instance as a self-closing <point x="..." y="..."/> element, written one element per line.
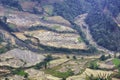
<point x="58" y="68"/>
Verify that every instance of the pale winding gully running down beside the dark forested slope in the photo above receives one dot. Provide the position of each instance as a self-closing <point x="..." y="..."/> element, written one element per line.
<point x="80" y="20"/>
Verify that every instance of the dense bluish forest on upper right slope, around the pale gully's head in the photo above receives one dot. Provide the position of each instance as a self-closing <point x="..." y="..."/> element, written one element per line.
<point x="103" y="28"/>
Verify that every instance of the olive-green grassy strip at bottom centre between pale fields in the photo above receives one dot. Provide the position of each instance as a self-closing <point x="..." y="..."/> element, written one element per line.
<point x="55" y="73"/>
